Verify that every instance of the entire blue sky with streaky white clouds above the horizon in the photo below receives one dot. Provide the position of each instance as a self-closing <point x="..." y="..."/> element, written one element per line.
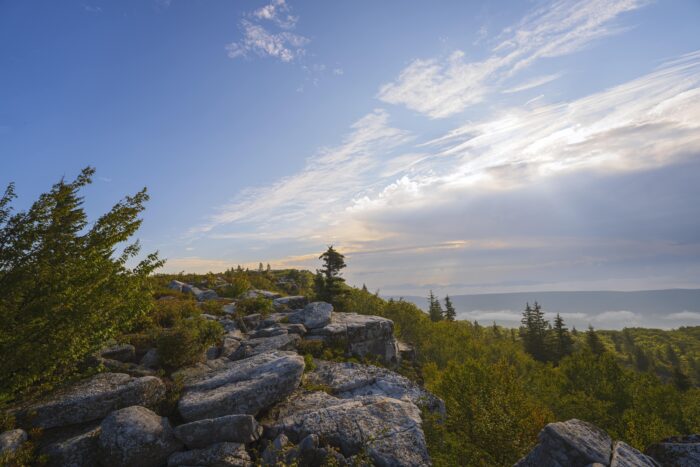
<point x="464" y="147"/>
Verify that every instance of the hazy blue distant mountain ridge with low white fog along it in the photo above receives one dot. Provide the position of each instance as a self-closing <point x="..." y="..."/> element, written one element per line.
<point x="669" y="308"/>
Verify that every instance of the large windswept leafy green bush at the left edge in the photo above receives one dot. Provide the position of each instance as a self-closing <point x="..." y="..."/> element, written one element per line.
<point x="64" y="290"/>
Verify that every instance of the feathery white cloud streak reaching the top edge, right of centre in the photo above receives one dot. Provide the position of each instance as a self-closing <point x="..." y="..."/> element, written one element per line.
<point x="440" y="88"/>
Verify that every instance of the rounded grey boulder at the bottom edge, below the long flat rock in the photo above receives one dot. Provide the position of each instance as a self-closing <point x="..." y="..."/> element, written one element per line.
<point x="136" y="437"/>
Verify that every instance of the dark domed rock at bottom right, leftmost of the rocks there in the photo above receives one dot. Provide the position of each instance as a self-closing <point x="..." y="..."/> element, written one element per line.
<point x="573" y="442"/>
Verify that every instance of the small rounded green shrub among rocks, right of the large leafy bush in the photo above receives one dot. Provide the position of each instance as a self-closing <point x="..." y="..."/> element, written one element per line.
<point x="184" y="344"/>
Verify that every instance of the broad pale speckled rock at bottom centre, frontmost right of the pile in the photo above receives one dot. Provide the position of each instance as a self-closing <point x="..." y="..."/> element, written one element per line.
<point x="388" y="430"/>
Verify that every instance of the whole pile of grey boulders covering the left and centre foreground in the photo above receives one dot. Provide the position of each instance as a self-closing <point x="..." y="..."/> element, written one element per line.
<point x="252" y="400"/>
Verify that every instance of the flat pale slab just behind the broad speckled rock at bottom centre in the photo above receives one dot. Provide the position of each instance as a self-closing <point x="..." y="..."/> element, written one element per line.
<point x="350" y="380"/>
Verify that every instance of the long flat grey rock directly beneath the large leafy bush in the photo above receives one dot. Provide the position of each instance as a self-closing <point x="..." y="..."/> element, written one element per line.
<point x="93" y="399"/>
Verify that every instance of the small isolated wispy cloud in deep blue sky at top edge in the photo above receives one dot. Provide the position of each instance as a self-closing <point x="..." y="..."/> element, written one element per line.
<point x="257" y="39"/>
